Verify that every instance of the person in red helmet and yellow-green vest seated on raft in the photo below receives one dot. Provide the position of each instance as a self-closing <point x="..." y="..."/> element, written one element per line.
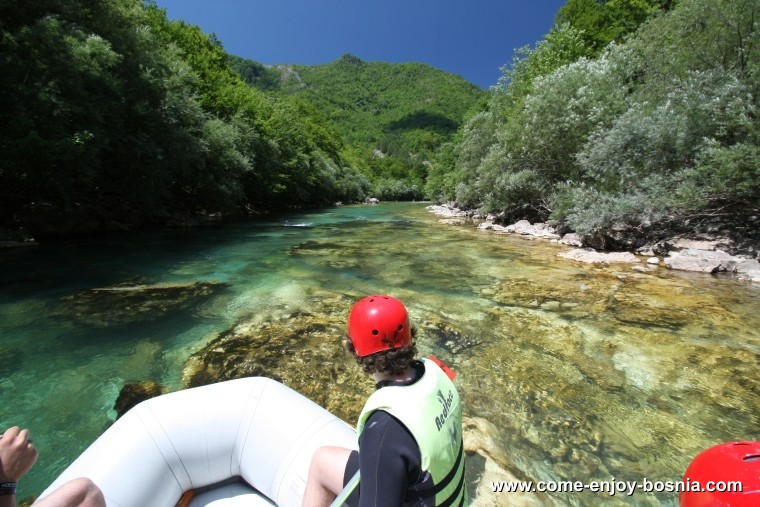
<point x="410" y="429"/>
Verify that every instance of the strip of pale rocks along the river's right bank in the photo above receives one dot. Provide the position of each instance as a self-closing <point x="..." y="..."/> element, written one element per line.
<point x="711" y="254"/>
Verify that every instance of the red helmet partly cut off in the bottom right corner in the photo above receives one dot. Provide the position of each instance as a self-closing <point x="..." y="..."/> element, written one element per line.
<point x="719" y="468"/>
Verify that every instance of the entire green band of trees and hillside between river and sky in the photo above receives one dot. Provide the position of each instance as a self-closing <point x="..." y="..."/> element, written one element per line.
<point x="628" y="122"/>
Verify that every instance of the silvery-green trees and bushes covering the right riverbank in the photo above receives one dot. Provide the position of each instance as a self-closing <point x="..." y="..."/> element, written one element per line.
<point x="656" y="131"/>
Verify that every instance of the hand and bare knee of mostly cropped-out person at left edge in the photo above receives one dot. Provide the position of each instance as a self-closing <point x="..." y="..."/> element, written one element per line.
<point x="17" y="455"/>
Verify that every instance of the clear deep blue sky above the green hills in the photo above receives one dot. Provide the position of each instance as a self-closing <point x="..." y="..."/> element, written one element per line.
<point x="472" y="38"/>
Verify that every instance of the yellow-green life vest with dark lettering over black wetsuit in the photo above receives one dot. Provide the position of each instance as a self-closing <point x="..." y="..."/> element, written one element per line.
<point x="431" y="411"/>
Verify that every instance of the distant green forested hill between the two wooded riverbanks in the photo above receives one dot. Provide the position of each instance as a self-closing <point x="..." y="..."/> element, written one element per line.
<point x="393" y="117"/>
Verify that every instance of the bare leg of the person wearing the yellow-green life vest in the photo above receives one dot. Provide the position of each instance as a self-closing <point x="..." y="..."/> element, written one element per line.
<point x="325" y="479"/>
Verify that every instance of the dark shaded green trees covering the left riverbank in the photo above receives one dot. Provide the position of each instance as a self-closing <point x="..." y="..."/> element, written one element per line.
<point x="113" y="116"/>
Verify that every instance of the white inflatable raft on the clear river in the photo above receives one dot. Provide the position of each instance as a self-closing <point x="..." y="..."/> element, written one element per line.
<point x="242" y="442"/>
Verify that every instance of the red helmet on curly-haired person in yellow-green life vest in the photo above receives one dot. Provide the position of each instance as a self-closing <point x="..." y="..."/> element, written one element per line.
<point x="378" y="323"/>
